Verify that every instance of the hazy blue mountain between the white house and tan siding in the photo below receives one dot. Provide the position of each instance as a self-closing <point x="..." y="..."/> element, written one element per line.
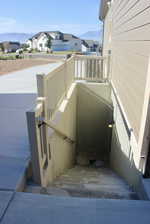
<point x="92" y="35"/>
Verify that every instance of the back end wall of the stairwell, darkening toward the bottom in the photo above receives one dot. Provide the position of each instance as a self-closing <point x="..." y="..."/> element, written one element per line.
<point x="93" y="117"/>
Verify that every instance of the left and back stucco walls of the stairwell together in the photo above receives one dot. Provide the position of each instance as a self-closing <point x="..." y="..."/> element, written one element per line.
<point x="85" y="118"/>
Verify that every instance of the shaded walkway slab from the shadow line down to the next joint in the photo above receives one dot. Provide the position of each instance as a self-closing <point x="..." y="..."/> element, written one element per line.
<point x="13" y="125"/>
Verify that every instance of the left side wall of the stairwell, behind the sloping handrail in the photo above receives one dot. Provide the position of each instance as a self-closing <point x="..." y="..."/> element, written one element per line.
<point x="62" y="152"/>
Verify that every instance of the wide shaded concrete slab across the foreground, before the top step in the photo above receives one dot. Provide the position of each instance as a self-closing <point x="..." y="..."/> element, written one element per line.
<point x="33" y="208"/>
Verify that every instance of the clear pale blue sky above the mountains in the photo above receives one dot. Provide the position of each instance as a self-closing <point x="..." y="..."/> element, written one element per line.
<point x="31" y="16"/>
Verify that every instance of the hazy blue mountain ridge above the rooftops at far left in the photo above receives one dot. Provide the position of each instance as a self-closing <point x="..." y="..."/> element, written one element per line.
<point x="19" y="37"/>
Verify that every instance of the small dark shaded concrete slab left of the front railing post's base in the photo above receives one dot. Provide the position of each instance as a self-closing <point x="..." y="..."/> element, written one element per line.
<point x="12" y="171"/>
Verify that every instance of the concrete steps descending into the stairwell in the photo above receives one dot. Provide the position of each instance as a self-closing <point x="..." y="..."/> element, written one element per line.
<point x="87" y="182"/>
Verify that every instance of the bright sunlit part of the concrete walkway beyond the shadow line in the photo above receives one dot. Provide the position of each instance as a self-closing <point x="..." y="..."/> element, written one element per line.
<point x="24" y="81"/>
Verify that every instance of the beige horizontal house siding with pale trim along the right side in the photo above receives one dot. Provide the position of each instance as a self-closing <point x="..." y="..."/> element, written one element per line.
<point x="127" y="38"/>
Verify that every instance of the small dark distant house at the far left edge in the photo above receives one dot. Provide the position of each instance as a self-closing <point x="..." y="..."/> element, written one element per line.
<point x="9" y="46"/>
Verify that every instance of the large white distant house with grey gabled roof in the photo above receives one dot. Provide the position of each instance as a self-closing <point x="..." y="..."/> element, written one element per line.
<point x="59" y="41"/>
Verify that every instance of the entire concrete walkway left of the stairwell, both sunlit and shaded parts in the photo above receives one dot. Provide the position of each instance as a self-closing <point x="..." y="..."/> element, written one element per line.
<point x="17" y="95"/>
